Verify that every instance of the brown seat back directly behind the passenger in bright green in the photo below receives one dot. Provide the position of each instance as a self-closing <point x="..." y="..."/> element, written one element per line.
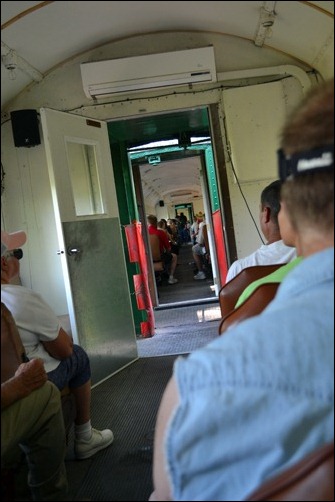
<point x="252" y="306"/>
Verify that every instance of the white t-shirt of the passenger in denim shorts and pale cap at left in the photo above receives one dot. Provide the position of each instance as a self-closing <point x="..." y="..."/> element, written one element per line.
<point x="35" y="321"/>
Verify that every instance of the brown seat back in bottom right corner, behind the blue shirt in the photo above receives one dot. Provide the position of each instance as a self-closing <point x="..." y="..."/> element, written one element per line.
<point x="312" y="478"/>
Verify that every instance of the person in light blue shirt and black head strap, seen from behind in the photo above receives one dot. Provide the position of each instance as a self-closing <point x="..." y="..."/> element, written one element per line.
<point x="260" y="398"/>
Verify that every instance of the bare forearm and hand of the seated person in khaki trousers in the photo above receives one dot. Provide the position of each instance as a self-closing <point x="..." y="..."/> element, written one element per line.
<point x="28" y="377"/>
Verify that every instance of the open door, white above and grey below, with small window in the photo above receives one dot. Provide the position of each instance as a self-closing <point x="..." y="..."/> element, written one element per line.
<point x="90" y="240"/>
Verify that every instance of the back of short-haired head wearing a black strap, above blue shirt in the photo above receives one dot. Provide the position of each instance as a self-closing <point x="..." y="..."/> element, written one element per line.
<point x="306" y="162"/>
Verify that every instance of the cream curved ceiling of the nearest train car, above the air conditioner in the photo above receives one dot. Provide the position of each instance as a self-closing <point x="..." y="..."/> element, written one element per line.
<point x="38" y="36"/>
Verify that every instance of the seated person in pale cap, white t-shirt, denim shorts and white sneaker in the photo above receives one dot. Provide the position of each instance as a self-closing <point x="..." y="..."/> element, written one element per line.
<point x="67" y="364"/>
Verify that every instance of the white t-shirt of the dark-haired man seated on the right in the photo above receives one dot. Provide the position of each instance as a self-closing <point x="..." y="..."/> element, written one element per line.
<point x="267" y="254"/>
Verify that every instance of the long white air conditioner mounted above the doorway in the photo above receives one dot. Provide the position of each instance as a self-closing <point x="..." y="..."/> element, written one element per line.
<point x="147" y="72"/>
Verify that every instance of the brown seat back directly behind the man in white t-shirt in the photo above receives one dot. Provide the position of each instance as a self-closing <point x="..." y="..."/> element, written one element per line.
<point x="231" y="291"/>
